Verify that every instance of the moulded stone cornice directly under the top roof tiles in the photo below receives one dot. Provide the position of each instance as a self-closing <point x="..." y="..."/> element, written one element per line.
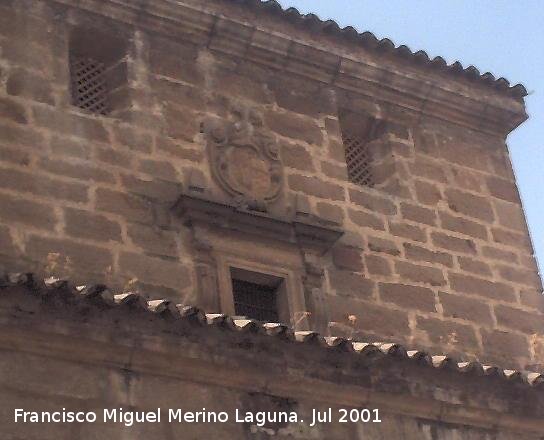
<point x="421" y="96"/>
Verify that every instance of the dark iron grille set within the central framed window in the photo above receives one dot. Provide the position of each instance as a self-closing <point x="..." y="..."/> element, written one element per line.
<point x="256" y="301"/>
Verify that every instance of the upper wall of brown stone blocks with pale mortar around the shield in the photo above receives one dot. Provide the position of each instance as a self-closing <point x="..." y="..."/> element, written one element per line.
<point x="439" y="257"/>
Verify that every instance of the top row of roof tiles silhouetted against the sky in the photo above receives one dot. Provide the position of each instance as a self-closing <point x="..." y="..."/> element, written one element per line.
<point x="385" y="45"/>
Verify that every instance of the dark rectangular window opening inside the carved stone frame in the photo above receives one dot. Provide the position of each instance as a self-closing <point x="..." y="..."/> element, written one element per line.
<point x="256" y="295"/>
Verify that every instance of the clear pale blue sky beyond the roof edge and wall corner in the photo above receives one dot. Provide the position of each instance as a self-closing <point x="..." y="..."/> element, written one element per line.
<point x="503" y="37"/>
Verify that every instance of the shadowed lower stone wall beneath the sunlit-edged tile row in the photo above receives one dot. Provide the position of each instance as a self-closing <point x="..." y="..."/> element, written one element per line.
<point x="132" y="359"/>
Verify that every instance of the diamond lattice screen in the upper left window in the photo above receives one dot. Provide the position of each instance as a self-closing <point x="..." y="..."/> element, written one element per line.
<point x="89" y="89"/>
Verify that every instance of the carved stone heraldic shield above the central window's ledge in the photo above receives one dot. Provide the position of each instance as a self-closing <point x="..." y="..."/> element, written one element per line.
<point x="244" y="159"/>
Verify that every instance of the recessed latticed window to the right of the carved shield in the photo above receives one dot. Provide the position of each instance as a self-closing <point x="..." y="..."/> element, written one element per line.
<point x="357" y="131"/>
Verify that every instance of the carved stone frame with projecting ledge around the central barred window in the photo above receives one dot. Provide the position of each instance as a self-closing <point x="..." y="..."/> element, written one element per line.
<point x="225" y="235"/>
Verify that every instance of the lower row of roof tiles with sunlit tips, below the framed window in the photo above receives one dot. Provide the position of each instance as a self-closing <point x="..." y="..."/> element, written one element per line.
<point x="101" y="295"/>
